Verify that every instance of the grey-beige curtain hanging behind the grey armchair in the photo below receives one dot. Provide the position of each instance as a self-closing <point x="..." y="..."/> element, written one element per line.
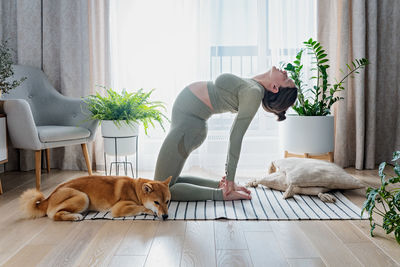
<point x="68" y="40"/>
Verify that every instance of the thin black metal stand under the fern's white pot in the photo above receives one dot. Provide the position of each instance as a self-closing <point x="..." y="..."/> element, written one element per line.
<point x="125" y="163"/>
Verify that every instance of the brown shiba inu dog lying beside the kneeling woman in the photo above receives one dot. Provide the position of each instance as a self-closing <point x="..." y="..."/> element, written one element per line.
<point x="123" y="195"/>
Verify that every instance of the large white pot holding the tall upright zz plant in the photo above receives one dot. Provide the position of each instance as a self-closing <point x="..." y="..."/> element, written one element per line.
<point x="307" y="134"/>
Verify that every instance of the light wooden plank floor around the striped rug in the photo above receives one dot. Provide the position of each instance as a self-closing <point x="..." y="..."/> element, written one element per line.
<point x="42" y="242"/>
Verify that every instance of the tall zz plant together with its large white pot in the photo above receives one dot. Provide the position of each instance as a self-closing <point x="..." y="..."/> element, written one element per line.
<point x="311" y="130"/>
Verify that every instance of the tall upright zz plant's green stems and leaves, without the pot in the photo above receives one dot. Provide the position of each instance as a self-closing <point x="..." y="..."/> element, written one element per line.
<point x="317" y="101"/>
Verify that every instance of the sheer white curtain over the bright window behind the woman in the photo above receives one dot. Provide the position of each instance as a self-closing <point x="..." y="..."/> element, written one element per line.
<point x="168" y="44"/>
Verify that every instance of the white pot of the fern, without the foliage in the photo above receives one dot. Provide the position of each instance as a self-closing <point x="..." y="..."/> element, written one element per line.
<point x="119" y="140"/>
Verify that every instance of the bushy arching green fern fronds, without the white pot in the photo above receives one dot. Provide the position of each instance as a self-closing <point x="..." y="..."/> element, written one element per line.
<point x="126" y="107"/>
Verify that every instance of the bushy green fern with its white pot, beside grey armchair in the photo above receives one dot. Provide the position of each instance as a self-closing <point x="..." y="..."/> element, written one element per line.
<point x="120" y="115"/>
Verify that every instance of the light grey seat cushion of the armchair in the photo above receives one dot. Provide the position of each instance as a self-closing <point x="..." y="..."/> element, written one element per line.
<point x="61" y="133"/>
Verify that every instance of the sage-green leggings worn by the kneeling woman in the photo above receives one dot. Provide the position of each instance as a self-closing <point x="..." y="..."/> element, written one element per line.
<point x="188" y="131"/>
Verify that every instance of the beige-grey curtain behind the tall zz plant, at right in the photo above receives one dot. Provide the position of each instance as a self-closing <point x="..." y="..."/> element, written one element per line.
<point x="367" y="121"/>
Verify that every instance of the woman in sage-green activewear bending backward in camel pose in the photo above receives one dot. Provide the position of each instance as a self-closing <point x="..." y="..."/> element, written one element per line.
<point x="191" y="110"/>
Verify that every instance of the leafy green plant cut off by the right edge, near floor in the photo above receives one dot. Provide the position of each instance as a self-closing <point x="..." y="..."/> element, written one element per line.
<point x="384" y="201"/>
